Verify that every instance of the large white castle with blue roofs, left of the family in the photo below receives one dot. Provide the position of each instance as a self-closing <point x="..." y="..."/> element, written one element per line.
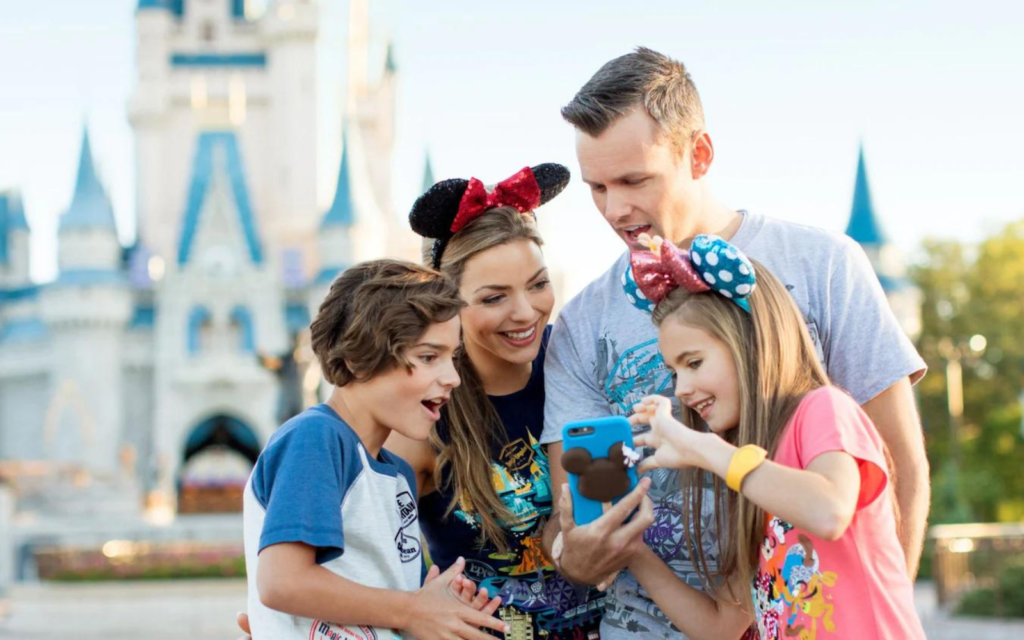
<point x="146" y="379"/>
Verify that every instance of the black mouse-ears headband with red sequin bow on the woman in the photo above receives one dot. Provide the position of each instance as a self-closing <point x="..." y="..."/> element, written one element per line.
<point x="450" y="205"/>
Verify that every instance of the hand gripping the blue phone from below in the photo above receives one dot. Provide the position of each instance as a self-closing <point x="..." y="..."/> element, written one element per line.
<point x="594" y="552"/>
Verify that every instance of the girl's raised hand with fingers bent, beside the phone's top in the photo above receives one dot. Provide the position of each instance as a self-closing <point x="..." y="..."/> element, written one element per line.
<point x="676" y="444"/>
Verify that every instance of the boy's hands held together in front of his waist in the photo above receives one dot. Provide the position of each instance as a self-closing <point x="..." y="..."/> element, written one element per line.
<point x="440" y="610"/>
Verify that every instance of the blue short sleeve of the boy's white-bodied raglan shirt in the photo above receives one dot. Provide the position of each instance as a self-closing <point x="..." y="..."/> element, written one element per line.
<point x="298" y="482"/>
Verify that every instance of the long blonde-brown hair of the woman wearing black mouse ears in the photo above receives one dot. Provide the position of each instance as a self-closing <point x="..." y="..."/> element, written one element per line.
<point x="474" y="425"/>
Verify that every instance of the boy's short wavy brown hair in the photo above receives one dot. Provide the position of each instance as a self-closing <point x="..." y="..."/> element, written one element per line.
<point x="374" y="312"/>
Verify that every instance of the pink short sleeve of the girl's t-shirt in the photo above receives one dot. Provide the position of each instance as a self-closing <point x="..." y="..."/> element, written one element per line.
<point x="829" y="420"/>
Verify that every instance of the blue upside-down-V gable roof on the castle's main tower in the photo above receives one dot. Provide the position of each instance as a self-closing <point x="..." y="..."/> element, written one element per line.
<point x="203" y="168"/>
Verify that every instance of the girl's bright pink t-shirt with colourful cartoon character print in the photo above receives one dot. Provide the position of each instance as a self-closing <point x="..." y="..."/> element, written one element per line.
<point x="856" y="587"/>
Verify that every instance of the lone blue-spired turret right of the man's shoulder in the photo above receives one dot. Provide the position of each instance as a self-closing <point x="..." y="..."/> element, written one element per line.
<point x="887" y="262"/>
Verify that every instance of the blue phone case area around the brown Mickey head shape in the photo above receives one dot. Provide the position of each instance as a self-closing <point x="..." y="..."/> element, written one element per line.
<point x="607" y="432"/>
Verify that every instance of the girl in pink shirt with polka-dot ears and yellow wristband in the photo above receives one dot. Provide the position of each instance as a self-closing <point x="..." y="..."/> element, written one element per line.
<point x="810" y="548"/>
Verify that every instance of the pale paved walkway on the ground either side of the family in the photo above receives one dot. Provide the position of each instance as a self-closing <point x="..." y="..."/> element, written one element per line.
<point x="205" y="611"/>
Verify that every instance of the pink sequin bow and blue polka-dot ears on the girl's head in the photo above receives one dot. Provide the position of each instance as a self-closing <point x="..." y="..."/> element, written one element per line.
<point x="711" y="264"/>
